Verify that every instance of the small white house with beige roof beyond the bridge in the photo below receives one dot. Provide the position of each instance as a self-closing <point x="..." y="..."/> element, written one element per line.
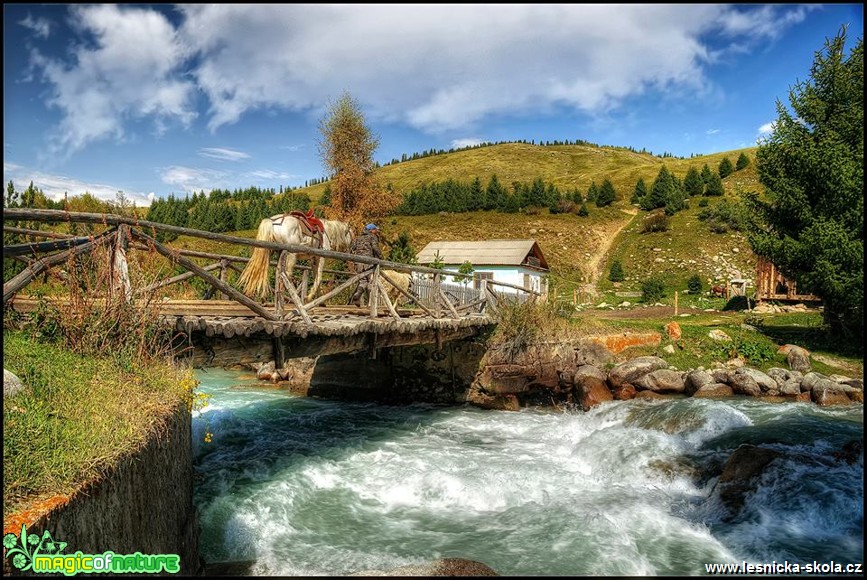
<point x="517" y="262"/>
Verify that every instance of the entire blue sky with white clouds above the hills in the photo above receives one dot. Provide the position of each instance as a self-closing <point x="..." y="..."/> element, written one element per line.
<point x="160" y="99"/>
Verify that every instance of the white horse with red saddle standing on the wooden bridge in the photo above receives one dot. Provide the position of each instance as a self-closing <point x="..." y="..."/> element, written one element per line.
<point x="287" y="229"/>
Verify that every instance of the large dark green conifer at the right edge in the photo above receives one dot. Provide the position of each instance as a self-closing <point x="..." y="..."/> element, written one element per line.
<point x="811" y="224"/>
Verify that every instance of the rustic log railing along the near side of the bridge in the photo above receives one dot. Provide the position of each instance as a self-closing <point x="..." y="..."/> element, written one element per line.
<point x="428" y="291"/>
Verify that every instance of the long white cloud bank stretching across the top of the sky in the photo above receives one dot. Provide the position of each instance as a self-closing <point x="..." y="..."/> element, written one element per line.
<point x="431" y="67"/>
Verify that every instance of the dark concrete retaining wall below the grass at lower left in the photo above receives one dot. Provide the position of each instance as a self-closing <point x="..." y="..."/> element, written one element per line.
<point x="144" y="504"/>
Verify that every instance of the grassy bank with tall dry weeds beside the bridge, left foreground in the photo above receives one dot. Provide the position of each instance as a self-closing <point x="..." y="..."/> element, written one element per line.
<point x="99" y="381"/>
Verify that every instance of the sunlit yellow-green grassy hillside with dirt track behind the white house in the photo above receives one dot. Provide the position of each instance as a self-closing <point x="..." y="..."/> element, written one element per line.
<point x="580" y="249"/>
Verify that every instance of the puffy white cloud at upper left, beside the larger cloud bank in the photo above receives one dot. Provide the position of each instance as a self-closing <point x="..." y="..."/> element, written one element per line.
<point x="129" y="71"/>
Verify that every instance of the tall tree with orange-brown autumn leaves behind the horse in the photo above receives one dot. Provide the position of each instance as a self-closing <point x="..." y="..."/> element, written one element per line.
<point x="347" y="147"/>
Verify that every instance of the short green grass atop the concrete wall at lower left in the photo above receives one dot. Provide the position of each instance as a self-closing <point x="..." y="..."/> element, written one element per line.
<point x="76" y="416"/>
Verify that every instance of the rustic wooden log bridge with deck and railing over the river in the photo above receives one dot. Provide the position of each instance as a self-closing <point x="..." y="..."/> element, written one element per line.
<point x="434" y="311"/>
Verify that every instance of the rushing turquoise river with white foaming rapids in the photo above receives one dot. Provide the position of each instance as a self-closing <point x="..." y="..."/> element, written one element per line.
<point x="314" y="487"/>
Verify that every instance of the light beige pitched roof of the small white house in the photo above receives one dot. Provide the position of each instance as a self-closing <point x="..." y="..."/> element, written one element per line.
<point x="485" y="253"/>
